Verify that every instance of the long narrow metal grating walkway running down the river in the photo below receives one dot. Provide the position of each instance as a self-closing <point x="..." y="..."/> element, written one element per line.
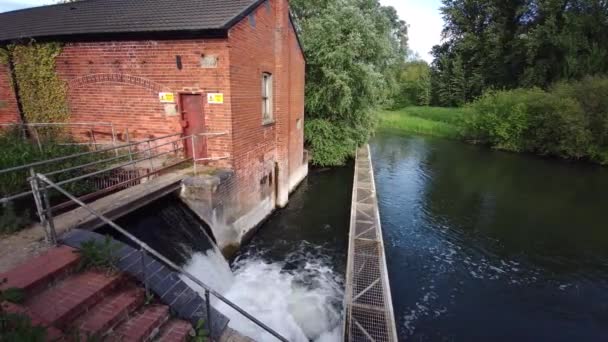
<point x="368" y="304"/>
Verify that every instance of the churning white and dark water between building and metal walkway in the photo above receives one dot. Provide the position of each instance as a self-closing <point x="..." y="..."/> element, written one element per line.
<point x="290" y="275"/>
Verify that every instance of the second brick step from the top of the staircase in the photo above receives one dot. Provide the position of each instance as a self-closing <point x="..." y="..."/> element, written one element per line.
<point x="71" y="297"/>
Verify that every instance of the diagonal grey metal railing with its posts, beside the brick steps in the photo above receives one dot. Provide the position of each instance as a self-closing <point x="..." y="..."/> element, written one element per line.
<point x="42" y="183"/>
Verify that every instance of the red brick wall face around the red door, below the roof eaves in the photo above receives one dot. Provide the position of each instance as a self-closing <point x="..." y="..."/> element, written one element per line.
<point x="119" y="82"/>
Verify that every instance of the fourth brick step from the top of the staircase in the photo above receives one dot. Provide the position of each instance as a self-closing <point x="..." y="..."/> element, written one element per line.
<point x="144" y="326"/>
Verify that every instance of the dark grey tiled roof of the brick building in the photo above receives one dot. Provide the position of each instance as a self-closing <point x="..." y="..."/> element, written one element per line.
<point x="125" y="19"/>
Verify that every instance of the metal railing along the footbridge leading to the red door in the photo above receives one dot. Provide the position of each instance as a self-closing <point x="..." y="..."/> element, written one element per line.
<point x="94" y="174"/>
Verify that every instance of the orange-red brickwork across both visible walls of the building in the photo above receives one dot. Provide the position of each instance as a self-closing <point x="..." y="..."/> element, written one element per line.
<point x="119" y="82"/>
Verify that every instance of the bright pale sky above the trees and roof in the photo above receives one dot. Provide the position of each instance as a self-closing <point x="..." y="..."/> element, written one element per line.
<point x="422" y="16"/>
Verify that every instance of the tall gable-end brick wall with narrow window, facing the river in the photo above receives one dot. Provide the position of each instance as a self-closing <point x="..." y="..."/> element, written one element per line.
<point x="261" y="43"/>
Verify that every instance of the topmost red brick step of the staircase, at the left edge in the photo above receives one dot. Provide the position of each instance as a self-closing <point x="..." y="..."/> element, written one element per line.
<point x="38" y="273"/>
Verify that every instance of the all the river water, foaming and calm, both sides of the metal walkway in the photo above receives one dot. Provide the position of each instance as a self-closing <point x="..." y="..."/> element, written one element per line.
<point x="481" y="245"/>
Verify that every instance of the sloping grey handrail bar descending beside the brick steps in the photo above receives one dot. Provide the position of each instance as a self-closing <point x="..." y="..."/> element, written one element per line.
<point x="144" y="246"/>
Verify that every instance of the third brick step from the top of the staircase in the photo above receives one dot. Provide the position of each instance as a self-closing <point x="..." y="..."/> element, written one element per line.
<point x="111" y="311"/>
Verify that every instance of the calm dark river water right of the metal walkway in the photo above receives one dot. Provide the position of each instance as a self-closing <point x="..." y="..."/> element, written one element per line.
<point x="489" y="246"/>
